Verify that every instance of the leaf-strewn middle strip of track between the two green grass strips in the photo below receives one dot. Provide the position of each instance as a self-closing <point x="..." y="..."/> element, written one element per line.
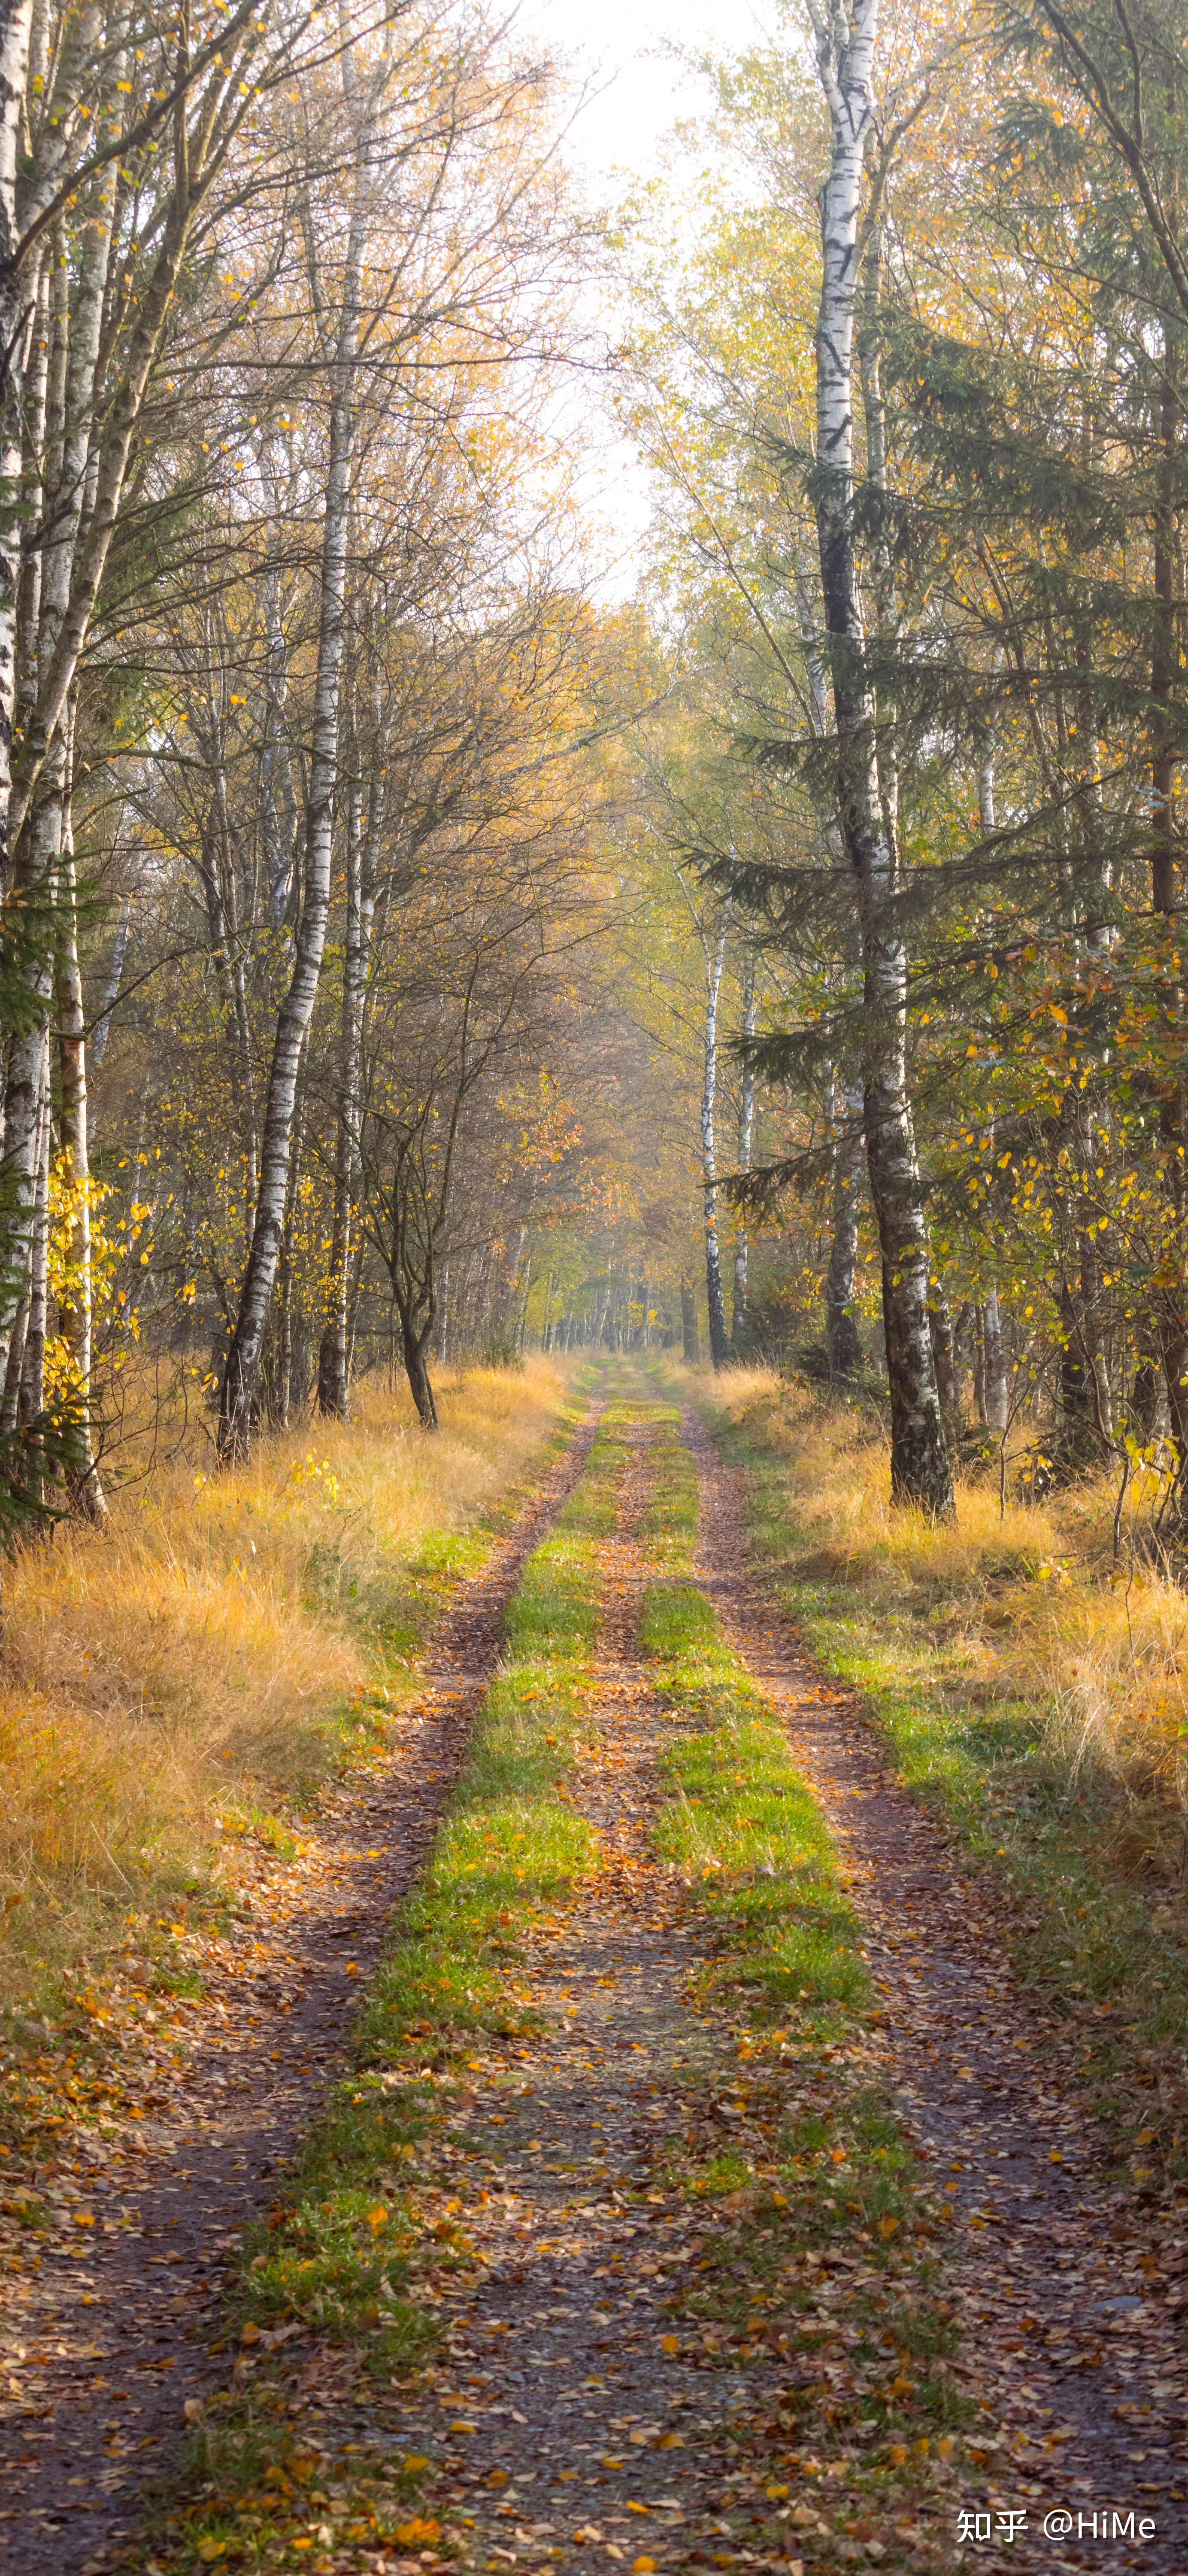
<point x="560" y="2418"/>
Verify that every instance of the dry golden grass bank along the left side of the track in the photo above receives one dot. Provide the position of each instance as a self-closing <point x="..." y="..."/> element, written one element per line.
<point x="200" y="1658"/>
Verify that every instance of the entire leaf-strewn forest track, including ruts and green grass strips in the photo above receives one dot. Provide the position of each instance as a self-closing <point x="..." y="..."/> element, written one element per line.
<point x="697" y="2183"/>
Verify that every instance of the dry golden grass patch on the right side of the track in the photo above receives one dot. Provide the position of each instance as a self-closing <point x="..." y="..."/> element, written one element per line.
<point x="1022" y="1606"/>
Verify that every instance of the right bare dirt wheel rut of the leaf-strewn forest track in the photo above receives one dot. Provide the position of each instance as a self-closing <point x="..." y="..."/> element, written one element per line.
<point x="1071" y="2289"/>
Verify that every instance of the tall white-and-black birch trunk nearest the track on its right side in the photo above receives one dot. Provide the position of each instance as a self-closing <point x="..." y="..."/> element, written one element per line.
<point x="921" y="1472"/>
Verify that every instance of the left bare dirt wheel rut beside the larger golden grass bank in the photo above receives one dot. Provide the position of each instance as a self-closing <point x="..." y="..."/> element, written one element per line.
<point x="110" y="2335"/>
